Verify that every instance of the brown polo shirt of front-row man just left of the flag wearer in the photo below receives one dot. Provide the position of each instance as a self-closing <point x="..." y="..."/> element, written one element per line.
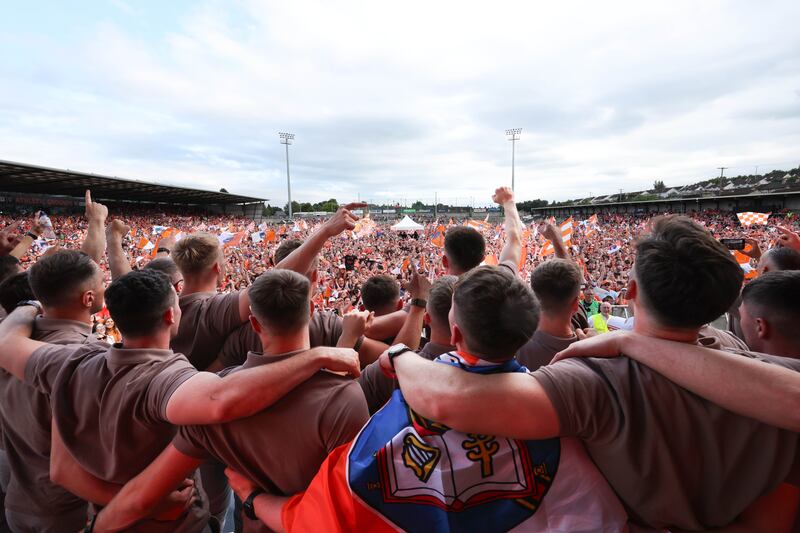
<point x="282" y="447"/>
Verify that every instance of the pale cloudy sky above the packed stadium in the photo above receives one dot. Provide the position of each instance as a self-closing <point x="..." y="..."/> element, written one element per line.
<point x="402" y="100"/>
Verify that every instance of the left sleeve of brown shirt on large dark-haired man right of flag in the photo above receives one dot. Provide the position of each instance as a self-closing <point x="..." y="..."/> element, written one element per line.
<point x="584" y="397"/>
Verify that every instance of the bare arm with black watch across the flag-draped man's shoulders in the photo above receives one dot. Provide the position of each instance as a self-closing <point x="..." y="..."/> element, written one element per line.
<point x="512" y="405"/>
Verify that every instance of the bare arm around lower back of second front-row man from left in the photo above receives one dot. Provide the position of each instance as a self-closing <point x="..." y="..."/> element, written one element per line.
<point x="65" y="471"/>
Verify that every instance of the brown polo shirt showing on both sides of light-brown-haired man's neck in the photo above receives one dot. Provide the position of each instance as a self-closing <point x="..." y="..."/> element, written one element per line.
<point x="324" y="329"/>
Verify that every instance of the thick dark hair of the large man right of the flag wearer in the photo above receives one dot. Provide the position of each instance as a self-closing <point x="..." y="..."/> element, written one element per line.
<point x="685" y="277"/>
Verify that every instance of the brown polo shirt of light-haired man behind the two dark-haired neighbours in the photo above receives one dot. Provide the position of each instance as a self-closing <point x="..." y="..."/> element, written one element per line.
<point x="207" y="318"/>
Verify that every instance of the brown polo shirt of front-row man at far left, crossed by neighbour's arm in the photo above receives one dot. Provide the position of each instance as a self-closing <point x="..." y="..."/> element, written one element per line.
<point x="25" y="417"/>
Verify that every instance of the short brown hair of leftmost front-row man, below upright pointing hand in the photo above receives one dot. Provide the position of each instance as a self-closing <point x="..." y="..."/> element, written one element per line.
<point x="57" y="278"/>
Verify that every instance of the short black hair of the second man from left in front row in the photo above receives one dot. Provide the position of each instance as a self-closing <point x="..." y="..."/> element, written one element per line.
<point x="138" y="300"/>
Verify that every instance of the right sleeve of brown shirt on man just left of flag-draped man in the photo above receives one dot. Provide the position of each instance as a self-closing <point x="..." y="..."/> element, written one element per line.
<point x="344" y="415"/>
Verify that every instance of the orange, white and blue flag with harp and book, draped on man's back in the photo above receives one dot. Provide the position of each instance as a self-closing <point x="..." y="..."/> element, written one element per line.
<point x="404" y="472"/>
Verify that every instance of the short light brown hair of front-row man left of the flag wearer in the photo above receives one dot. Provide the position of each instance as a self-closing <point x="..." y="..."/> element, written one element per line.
<point x="280" y="300"/>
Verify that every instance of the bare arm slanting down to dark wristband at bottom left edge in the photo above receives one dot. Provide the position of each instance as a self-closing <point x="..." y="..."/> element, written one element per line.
<point x="140" y="496"/>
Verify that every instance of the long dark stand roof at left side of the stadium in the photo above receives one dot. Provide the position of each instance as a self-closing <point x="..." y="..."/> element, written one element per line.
<point x="25" y="178"/>
